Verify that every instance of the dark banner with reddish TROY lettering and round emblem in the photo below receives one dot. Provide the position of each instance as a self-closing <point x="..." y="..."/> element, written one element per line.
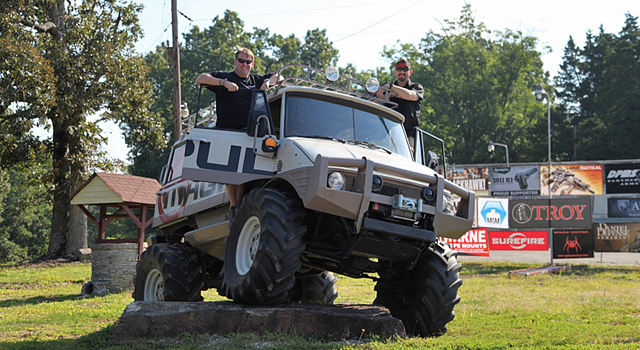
<point x="555" y="213"/>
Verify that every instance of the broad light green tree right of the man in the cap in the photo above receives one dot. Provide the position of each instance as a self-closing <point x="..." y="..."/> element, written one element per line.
<point x="478" y="89"/>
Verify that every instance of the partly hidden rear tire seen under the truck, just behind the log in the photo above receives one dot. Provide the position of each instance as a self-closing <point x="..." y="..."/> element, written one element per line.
<point x="314" y="289"/>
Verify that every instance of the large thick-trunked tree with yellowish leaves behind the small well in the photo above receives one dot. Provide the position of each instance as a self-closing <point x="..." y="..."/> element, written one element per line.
<point x="68" y="60"/>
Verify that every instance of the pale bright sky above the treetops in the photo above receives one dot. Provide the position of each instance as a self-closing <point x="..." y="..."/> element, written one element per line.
<point x="361" y="29"/>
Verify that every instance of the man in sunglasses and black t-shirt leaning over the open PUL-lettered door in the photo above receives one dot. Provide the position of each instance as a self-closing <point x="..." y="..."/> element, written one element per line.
<point x="233" y="100"/>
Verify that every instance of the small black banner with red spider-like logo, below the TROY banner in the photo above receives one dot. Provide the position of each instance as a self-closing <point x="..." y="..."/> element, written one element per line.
<point x="569" y="244"/>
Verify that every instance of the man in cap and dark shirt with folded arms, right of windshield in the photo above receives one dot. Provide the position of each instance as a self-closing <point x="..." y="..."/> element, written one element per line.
<point x="407" y="95"/>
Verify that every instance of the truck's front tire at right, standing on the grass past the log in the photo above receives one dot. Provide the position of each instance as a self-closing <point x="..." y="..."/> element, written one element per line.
<point x="423" y="299"/>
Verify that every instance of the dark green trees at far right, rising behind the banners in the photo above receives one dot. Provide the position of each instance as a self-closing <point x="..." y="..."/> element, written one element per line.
<point x="599" y="90"/>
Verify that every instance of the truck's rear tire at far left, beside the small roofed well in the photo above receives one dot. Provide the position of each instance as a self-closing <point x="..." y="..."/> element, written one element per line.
<point x="168" y="272"/>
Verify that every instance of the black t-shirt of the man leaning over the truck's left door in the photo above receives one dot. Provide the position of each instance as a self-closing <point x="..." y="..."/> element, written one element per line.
<point x="232" y="108"/>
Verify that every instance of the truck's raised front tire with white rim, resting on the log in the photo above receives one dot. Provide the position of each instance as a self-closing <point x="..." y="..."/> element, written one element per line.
<point x="263" y="248"/>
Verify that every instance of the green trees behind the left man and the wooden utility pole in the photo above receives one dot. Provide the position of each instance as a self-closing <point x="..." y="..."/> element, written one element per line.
<point x="213" y="49"/>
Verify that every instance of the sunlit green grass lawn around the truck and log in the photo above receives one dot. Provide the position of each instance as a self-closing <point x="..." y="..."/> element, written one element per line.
<point x="588" y="307"/>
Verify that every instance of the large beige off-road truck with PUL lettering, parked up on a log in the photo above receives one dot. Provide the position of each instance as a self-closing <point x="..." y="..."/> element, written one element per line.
<point x="329" y="186"/>
